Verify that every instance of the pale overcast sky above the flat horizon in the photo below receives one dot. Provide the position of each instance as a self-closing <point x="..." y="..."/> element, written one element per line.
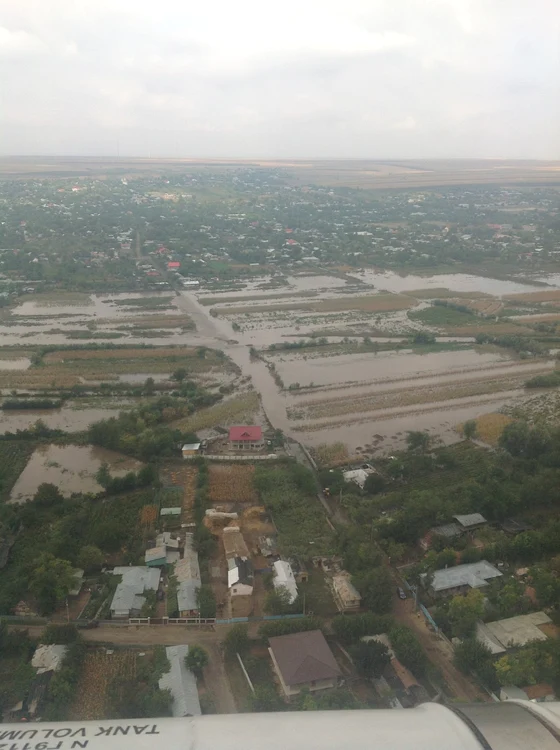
<point x="281" y="78"/>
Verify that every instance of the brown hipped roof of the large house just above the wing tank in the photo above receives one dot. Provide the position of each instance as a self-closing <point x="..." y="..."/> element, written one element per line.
<point x="304" y="657"/>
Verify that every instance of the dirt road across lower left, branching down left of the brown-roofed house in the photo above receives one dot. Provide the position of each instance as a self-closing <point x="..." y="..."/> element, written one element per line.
<point x="215" y="674"/>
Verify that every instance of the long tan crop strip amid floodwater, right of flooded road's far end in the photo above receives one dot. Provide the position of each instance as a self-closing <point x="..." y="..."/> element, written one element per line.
<point x="369" y="303"/>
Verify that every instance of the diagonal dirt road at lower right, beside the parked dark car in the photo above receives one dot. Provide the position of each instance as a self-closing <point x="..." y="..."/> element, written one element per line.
<point x="438" y="651"/>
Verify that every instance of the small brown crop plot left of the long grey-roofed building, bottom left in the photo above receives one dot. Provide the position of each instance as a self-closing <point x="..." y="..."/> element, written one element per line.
<point x="99" y="670"/>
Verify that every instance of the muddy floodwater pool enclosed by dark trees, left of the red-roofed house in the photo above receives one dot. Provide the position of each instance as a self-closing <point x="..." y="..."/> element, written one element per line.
<point x="71" y="468"/>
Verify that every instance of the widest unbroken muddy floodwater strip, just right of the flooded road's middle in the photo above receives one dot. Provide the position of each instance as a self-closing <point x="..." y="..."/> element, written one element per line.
<point x="373" y="367"/>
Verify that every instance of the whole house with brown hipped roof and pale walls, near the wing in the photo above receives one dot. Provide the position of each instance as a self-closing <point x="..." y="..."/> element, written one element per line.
<point x="304" y="661"/>
